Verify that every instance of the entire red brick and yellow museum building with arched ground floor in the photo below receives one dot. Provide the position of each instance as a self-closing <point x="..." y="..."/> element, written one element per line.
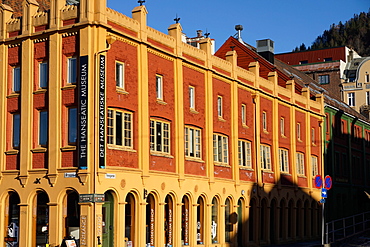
<point x="115" y="133"/>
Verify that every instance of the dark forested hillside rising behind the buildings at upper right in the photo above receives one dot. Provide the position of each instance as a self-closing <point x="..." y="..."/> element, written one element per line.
<point x="354" y="33"/>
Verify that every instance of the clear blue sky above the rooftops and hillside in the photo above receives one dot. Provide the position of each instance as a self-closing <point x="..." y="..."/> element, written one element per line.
<point x="287" y="22"/>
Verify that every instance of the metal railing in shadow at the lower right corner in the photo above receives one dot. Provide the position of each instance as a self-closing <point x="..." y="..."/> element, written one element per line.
<point x="337" y="230"/>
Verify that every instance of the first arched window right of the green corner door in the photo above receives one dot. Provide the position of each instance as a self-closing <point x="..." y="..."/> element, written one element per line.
<point x="130" y="219"/>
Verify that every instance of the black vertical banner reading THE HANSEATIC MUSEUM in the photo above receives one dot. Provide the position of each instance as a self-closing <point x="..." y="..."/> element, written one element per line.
<point x="82" y="113"/>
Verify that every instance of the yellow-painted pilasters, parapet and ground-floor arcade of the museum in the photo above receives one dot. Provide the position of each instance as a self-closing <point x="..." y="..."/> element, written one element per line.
<point x="173" y="208"/>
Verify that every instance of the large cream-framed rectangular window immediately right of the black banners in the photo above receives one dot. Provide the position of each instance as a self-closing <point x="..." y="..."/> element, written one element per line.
<point x="119" y="128"/>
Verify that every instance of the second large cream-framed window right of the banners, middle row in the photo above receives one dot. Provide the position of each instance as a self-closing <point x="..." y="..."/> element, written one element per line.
<point x="159" y="136"/>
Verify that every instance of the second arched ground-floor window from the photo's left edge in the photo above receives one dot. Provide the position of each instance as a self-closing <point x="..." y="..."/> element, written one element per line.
<point x="42" y="219"/>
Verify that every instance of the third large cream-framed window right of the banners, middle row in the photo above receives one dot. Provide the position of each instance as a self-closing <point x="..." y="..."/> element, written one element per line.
<point x="192" y="142"/>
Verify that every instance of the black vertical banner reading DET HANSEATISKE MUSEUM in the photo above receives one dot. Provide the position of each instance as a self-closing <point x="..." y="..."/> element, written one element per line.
<point x="102" y="111"/>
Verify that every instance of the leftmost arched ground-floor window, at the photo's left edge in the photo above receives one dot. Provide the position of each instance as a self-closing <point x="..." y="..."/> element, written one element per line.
<point x="12" y="220"/>
